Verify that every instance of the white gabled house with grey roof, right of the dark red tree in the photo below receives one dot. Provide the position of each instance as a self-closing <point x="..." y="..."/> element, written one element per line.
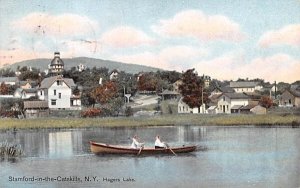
<point x="228" y="102"/>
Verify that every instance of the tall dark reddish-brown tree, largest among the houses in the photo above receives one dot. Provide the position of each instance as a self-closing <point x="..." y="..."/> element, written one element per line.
<point x="192" y="88"/>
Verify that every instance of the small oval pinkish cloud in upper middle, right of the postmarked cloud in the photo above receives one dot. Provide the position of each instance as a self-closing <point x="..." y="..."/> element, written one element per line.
<point x="125" y="36"/>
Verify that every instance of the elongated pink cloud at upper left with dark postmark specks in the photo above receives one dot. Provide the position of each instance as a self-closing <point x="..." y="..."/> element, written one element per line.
<point x="63" y="25"/>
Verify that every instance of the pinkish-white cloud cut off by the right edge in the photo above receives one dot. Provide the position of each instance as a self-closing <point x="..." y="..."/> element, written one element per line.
<point x="288" y="35"/>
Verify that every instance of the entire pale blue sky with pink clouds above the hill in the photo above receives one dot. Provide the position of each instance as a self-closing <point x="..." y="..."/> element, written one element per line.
<point x="225" y="39"/>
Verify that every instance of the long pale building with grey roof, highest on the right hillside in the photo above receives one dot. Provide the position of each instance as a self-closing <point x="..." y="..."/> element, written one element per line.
<point x="245" y="86"/>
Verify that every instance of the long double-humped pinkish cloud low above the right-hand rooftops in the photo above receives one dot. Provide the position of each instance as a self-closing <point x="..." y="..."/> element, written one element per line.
<point x="278" y="67"/>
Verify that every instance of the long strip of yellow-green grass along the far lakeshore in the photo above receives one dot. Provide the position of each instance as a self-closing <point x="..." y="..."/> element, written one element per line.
<point x="184" y="119"/>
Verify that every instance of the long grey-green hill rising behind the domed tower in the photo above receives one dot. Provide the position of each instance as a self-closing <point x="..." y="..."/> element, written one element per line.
<point x="42" y="64"/>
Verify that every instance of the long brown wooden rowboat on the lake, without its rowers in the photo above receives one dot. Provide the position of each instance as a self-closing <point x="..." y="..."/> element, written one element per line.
<point x="101" y="148"/>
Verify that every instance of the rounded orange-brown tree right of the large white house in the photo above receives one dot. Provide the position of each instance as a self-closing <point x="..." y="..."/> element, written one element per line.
<point x="102" y="94"/>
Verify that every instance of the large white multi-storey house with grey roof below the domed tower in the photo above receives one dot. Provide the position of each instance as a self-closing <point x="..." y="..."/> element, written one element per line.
<point x="58" y="92"/>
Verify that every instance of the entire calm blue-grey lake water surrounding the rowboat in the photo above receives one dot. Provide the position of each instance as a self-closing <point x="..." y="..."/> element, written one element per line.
<point x="228" y="157"/>
